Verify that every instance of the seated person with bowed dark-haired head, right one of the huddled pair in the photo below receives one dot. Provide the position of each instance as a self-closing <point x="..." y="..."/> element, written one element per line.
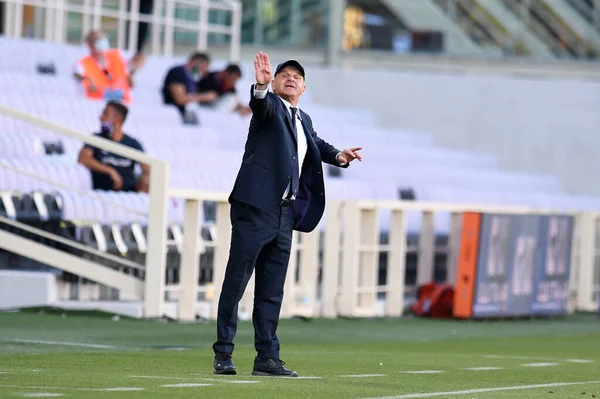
<point x="223" y="83"/>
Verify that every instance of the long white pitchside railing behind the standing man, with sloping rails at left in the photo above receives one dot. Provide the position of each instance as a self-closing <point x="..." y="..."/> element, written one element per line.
<point x="345" y="282"/>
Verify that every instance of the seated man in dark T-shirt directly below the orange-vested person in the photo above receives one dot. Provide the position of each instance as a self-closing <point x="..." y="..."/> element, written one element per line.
<point x="111" y="171"/>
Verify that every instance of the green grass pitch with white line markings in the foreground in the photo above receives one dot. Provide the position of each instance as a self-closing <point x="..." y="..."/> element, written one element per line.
<point x="87" y="355"/>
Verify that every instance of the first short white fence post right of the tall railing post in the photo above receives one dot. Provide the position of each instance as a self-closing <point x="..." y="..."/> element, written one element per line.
<point x="189" y="267"/>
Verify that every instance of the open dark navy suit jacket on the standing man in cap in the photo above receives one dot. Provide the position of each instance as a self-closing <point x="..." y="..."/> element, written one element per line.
<point x="270" y="156"/>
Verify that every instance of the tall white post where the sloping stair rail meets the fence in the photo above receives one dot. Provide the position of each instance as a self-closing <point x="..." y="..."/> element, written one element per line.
<point x="157" y="234"/>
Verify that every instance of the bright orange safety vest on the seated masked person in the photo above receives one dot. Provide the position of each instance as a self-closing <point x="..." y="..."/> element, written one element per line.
<point x="118" y="78"/>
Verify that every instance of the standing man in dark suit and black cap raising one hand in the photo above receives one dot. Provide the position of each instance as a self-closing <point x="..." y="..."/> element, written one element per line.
<point x="279" y="188"/>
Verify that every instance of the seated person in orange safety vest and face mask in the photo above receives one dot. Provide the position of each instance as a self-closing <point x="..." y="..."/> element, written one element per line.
<point x="104" y="73"/>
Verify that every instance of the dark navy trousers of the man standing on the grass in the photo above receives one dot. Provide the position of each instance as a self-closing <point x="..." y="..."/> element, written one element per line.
<point x="260" y="241"/>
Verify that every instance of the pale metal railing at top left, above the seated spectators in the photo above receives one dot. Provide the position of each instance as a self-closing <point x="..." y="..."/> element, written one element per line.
<point x="98" y="14"/>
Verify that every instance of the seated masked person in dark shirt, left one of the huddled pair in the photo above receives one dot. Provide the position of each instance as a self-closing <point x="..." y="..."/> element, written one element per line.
<point x="179" y="88"/>
